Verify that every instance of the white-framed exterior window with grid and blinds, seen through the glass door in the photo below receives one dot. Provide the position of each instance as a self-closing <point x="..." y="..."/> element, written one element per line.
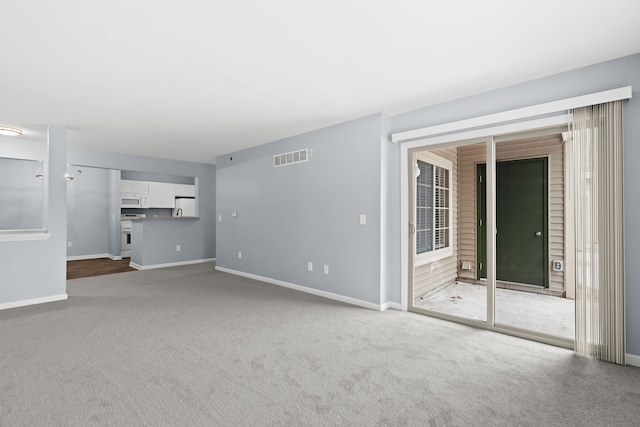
<point x="433" y="208"/>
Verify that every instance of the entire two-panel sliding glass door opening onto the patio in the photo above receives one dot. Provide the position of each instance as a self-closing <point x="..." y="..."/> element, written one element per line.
<point x="496" y="256"/>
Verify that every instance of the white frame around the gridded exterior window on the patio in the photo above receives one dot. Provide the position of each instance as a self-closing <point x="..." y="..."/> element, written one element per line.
<point x="435" y="254"/>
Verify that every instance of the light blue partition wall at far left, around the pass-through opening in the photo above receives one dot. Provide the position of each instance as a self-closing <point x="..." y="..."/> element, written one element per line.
<point x="37" y="269"/>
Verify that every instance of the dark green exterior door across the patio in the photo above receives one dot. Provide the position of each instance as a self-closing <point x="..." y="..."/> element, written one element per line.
<point x="521" y="219"/>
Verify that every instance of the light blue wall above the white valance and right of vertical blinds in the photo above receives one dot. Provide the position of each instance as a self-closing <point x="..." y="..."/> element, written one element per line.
<point x="600" y="77"/>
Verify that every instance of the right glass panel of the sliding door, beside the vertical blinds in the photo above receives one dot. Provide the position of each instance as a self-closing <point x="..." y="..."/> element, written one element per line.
<point x="531" y="286"/>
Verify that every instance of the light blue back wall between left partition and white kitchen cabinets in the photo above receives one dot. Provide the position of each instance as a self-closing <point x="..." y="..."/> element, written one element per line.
<point x="88" y="211"/>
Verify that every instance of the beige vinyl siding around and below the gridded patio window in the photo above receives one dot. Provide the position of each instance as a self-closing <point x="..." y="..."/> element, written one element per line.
<point x="444" y="271"/>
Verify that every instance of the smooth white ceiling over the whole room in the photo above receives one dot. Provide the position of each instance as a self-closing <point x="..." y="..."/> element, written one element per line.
<point x="191" y="80"/>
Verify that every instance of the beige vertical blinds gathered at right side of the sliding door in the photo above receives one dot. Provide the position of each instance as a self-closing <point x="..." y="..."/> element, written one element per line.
<point x="599" y="233"/>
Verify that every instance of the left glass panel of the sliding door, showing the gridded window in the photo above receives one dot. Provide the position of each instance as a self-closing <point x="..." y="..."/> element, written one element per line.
<point x="443" y="233"/>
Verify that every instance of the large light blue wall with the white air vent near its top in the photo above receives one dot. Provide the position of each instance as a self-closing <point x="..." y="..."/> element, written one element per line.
<point x="290" y="215"/>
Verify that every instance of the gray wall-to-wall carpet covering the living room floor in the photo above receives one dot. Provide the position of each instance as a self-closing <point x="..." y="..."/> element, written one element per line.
<point x="192" y="346"/>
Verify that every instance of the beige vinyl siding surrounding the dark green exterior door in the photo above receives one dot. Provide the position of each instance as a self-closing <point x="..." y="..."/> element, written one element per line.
<point x="548" y="146"/>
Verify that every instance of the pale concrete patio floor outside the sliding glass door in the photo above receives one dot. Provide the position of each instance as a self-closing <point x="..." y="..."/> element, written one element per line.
<point x="541" y="313"/>
